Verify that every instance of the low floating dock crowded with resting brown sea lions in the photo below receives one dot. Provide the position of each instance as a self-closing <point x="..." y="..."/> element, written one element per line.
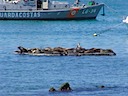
<point x="60" y="51"/>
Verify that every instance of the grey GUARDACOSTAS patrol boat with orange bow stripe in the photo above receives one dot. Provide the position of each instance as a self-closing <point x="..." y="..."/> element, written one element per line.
<point x="48" y="10"/>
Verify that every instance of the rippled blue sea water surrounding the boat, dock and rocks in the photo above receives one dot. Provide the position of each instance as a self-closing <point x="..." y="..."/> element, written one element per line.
<point x="22" y="75"/>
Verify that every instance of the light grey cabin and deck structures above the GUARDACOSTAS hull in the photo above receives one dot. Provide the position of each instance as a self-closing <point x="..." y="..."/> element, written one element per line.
<point x="32" y="5"/>
